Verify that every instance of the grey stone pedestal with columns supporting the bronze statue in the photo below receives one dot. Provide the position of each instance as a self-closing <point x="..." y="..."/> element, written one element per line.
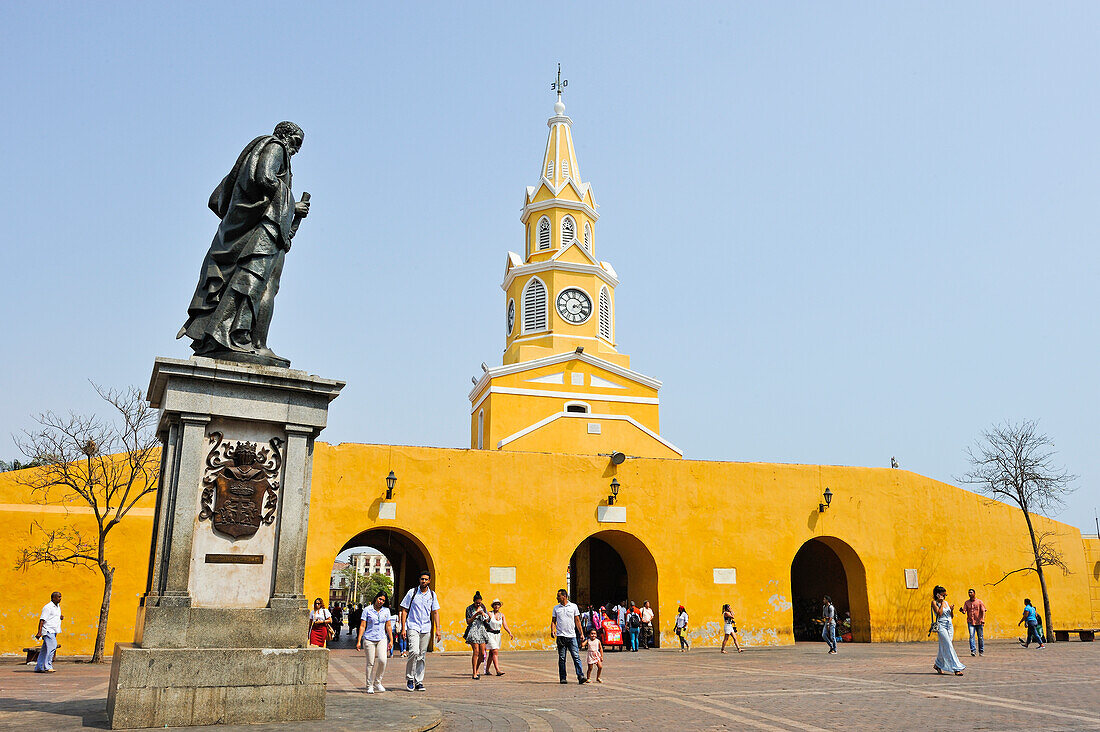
<point x="223" y="628"/>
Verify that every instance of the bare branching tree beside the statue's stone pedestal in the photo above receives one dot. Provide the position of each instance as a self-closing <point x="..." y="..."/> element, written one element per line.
<point x="108" y="465"/>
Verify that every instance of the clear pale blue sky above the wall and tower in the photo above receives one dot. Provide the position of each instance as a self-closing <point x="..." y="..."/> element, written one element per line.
<point x="844" y="232"/>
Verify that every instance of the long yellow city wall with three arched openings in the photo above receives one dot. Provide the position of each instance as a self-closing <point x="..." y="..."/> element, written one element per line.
<point x="477" y="509"/>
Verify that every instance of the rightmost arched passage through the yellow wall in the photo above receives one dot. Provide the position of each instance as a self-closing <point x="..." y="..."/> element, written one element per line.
<point x="829" y="566"/>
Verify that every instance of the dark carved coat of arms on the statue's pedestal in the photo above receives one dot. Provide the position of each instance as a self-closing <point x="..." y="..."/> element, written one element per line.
<point x="240" y="488"/>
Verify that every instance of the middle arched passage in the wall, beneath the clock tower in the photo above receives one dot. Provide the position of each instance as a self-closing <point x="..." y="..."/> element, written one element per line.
<point x="613" y="566"/>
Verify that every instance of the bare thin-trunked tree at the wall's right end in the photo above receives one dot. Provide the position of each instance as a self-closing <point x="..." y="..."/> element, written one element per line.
<point x="1015" y="463"/>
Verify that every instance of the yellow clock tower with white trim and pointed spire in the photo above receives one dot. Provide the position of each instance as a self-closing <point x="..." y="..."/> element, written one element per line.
<point x="564" y="386"/>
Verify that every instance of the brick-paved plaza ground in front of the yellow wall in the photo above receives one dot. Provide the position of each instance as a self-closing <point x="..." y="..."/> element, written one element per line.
<point x="864" y="687"/>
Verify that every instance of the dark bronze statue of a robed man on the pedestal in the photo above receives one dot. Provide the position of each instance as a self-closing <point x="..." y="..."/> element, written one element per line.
<point x="232" y="312"/>
